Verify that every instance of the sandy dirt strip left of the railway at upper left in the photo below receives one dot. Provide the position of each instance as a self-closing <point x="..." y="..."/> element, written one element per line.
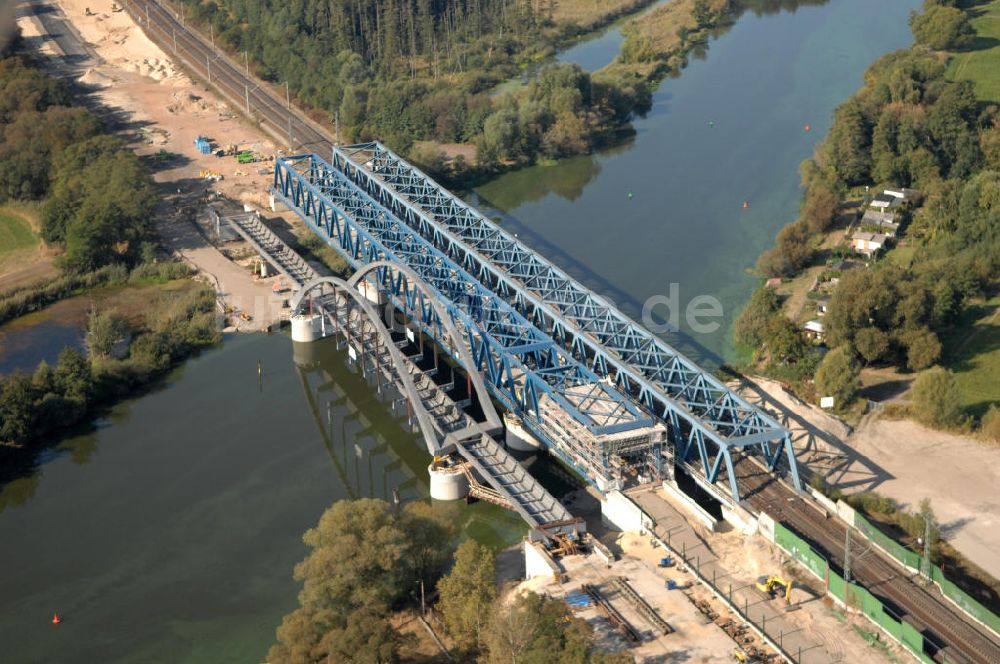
<point x="160" y="108"/>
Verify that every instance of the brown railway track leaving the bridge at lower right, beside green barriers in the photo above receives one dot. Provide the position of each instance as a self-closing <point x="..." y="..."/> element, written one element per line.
<point x="957" y="638"/>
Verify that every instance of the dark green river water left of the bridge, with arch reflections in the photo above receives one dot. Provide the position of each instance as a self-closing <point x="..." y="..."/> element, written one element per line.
<point x="169" y="533"/>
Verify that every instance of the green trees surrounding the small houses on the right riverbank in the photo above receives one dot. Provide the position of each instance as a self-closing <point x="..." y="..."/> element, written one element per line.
<point x="908" y="126"/>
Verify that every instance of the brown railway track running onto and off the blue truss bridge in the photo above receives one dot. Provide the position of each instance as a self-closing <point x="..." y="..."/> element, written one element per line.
<point x="956" y="637"/>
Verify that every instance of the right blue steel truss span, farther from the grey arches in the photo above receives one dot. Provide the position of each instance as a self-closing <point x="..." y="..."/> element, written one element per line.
<point x="644" y="366"/>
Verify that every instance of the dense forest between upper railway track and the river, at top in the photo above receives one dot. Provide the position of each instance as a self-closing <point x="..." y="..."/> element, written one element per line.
<point x="412" y="70"/>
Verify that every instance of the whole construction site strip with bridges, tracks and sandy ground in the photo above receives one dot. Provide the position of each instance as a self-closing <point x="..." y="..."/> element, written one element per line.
<point x="663" y="575"/>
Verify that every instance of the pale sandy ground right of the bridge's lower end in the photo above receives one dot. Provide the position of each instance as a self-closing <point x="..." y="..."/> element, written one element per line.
<point x="905" y="461"/>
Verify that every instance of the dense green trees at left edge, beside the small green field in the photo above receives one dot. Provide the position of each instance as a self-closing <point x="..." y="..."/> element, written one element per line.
<point x="99" y="196"/>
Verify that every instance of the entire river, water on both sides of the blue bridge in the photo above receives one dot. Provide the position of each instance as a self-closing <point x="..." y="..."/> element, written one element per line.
<point x="168" y="533"/>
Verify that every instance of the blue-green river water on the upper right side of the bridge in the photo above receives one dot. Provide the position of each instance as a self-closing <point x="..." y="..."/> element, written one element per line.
<point x="666" y="207"/>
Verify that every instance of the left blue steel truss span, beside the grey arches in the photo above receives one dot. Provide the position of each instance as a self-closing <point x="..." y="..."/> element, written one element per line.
<point x="517" y="358"/>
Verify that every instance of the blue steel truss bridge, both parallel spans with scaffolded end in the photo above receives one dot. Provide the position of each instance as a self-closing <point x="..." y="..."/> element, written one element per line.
<point x="609" y="398"/>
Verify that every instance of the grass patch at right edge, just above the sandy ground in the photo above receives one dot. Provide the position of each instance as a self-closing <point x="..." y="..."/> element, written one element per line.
<point x="973" y="353"/>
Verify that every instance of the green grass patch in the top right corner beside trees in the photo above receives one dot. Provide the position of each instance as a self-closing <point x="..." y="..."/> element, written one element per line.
<point x="980" y="62"/>
